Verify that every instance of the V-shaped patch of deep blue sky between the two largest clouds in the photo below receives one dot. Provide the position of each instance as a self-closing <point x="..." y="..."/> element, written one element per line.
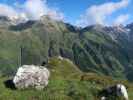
<point x="74" y="8"/>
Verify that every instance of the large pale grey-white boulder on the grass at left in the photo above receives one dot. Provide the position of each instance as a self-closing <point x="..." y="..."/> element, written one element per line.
<point x="31" y="76"/>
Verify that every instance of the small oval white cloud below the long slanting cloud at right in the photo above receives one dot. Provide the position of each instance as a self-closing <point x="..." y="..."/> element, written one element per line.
<point x="121" y="19"/>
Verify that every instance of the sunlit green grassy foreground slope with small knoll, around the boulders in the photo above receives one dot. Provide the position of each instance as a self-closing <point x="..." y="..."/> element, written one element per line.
<point x="66" y="83"/>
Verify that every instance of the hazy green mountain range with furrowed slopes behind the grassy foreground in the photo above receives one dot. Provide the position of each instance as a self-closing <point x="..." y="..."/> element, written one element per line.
<point x="96" y="48"/>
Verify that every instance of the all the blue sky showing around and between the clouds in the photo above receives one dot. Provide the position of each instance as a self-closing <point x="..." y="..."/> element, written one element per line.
<point x="74" y="9"/>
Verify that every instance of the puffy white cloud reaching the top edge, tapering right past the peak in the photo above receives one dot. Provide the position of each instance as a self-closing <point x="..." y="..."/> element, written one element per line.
<point x="36" y="8"/>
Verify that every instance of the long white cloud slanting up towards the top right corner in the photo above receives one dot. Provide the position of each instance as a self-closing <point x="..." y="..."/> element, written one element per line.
<point x="97" y="14"/>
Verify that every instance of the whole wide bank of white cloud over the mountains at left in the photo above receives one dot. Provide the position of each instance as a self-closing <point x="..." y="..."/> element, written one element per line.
<point x="31" y="9"/>
